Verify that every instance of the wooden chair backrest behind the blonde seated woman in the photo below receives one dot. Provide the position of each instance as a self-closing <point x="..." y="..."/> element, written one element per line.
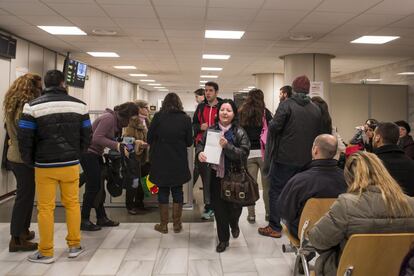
<point x="375" y="254"/>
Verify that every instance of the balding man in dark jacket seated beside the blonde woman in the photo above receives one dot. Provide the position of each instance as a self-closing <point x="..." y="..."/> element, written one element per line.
<point x="321" y="178"/>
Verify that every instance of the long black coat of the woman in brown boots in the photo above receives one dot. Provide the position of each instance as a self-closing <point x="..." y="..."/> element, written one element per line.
<point x="169" y="135"/>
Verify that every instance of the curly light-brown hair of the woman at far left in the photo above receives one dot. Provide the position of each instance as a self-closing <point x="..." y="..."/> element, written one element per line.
<point x="23" y="90"/>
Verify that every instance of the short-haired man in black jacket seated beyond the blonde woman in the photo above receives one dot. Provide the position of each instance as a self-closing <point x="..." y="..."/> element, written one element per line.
<point x="399" y="165"/>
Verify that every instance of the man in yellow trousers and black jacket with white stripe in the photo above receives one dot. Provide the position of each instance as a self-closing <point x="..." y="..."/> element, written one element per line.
<point x="53" y="131"/>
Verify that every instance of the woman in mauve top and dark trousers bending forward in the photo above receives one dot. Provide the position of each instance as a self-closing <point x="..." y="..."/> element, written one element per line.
<point x="106" y="128"/>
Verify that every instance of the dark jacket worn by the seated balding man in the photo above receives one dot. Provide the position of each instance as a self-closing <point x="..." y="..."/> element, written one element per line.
<point x="320" y="179"/>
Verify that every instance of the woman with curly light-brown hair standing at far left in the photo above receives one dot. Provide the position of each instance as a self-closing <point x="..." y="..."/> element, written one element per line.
<point x="23" y="90"/>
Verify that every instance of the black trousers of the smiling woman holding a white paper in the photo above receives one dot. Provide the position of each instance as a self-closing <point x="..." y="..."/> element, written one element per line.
<point x="227" y="214"/>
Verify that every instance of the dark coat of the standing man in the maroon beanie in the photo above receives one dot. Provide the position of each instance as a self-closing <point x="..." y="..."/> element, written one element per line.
<point x="293" y="128"/>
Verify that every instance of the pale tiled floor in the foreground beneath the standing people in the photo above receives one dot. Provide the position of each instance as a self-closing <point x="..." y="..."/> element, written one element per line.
<point x="136" y="249"/>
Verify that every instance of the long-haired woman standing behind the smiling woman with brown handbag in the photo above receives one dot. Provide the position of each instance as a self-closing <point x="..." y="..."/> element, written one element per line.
<point x="254" y="116"/>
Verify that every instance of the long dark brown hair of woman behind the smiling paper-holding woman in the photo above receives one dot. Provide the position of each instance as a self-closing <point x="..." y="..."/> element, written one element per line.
<point x="251" y="111"/>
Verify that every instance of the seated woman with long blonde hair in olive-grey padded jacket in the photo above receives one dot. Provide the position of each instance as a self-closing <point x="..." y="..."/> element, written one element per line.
<point x="374" y="203"/>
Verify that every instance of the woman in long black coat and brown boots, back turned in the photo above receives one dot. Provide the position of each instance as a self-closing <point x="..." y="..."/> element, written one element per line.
<point x="169" y="135"/>
